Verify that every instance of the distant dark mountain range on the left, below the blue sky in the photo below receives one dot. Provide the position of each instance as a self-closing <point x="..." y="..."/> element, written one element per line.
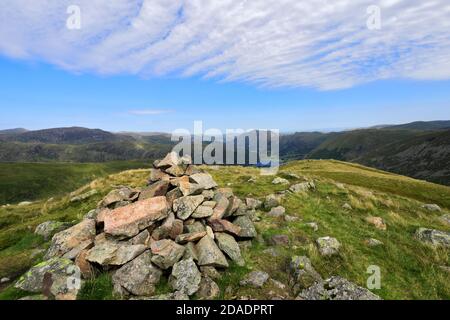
<point x="77" y="144"/>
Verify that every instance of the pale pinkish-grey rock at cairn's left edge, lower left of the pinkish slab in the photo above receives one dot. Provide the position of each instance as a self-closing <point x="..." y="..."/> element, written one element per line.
<point x="75" y="239"/>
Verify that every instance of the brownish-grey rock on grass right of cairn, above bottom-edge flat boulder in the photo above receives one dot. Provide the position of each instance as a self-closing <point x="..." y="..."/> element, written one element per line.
<point x="302" y="274"/>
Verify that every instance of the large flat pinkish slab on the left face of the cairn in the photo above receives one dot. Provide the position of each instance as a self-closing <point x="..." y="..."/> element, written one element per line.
<point x="128" y="221"/>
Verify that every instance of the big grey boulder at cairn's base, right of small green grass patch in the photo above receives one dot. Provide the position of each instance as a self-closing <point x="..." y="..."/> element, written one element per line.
<point x="138" y="277"/>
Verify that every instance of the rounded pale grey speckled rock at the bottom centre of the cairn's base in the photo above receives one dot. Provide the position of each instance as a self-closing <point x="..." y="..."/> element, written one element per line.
<point x="185" y="277"/>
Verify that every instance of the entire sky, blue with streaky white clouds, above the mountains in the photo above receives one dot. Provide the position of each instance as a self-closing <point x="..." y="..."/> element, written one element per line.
<point x="150" y="65"/>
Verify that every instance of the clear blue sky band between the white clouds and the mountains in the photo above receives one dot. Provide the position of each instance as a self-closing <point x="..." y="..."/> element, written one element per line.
<point x="37" y="95"/>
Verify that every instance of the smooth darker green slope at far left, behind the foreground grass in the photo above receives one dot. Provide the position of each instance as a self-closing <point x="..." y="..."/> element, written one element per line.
<point x="31" y="181"/>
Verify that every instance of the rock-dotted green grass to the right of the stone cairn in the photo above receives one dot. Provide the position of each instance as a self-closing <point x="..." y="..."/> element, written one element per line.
<point x="410" y="270"/>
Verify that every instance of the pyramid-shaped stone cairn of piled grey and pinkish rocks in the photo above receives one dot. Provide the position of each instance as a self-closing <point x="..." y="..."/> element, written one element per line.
<point x="181" y="226"/>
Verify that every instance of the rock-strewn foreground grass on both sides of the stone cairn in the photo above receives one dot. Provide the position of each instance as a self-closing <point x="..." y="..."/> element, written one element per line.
<point x="410" y="269"/>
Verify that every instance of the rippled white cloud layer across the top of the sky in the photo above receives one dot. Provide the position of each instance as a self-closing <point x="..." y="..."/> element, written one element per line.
<point x="323" y="44"/>
